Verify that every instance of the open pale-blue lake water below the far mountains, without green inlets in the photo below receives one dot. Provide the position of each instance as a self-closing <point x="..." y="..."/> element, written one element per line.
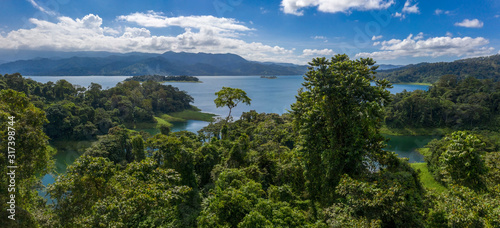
<point x="268" y="95"/>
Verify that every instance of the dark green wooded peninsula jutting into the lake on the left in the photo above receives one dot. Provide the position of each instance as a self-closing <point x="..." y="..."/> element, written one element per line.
<point x="75" y="112"/>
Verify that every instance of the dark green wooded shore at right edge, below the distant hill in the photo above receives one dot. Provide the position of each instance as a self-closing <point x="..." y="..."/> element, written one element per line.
<point x="450" y="103"/>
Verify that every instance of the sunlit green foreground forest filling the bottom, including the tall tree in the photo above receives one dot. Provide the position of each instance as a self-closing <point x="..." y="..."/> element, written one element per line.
<point x="322" y="165"/>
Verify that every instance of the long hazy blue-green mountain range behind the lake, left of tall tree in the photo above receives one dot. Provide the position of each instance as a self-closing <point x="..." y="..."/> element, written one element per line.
<point x="168" y="63"/>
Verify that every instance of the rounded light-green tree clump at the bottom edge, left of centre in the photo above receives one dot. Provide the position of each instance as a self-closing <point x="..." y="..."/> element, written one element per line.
<point x="95" y="194"/>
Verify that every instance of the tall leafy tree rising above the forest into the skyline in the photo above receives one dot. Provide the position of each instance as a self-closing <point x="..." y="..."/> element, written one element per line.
<point x="338" y="114"/>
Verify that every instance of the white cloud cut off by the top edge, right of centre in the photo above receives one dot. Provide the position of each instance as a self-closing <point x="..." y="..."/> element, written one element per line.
<point x="333" y="6"/>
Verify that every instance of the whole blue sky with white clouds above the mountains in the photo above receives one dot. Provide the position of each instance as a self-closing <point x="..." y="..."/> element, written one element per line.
<point x="290" y="31"/>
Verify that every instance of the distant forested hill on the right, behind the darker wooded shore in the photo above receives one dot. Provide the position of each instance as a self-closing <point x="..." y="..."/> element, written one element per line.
<point x="480" y="68"/>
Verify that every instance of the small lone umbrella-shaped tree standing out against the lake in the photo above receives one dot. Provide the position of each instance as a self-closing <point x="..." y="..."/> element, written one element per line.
<point x="231" y="97"/>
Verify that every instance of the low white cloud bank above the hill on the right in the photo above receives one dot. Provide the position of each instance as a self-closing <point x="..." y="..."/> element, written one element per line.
<point x="431" y="47"/>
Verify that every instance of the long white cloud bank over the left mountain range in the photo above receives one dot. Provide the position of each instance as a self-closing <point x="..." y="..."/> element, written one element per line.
<point x="88" y="34"/>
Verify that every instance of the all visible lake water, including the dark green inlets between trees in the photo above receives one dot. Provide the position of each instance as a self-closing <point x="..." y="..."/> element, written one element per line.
<point x="268" y="95"/>
